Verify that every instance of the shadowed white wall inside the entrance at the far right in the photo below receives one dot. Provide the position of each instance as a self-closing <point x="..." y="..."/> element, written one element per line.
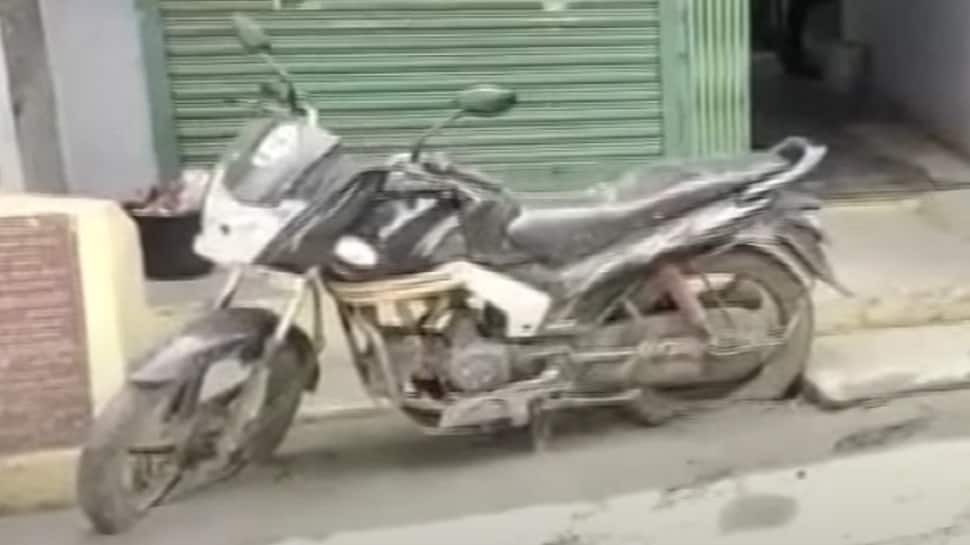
<point x="920" y="58"/>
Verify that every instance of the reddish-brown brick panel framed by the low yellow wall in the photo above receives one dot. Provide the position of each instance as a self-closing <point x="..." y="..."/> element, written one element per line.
<point x="44" y="392"/>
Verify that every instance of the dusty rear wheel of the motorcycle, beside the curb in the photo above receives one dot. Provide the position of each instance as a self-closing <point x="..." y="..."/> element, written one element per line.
<point x="756" y="281"/>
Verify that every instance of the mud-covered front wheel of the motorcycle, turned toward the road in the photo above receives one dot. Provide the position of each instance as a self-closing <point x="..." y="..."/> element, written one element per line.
<point x="137" y="451"/>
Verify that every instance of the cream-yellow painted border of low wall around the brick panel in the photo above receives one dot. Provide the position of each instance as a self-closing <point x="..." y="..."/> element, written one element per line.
<point x="117" y="320"/>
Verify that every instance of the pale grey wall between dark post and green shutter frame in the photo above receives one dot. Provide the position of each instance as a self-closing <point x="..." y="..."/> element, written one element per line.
<point x="102" y="100"/>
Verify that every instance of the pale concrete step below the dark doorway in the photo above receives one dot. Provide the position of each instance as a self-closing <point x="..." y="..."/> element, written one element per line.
<point x="904" y="262"/>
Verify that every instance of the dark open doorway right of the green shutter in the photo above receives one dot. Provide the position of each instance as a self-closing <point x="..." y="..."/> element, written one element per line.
<point x="875" y="150"/>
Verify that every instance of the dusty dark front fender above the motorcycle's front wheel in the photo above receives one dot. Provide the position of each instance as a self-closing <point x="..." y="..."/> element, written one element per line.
<point x="204" y="340"/>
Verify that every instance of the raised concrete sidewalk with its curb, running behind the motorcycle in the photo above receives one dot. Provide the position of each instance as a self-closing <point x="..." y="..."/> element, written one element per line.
<point x="907" y="262"/>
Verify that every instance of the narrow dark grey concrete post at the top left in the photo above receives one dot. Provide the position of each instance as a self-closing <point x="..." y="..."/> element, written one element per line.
<point x="32" y="96"/>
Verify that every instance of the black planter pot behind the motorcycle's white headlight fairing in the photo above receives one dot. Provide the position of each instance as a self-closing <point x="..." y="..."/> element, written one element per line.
<point x="166" y="243"/>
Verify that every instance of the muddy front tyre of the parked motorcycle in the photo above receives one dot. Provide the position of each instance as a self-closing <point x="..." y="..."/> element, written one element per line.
<point x="110" y="492"/>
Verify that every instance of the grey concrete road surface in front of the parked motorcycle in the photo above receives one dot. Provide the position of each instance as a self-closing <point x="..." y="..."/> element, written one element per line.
<point x="355" y="480"/>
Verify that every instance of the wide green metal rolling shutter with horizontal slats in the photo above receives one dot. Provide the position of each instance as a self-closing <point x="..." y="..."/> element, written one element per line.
<point x="588" y="75"/>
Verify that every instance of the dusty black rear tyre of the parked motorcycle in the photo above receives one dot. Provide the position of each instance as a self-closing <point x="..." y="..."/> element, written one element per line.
<point x="780" y="373"/>
